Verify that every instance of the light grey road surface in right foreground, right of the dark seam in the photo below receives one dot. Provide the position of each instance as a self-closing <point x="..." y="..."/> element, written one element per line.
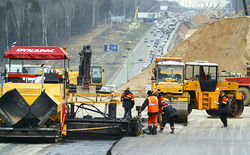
<point x="202" y="135"/>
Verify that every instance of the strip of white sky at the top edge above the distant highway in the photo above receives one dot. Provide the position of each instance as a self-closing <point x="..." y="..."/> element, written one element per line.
<point x="201" y="3"/>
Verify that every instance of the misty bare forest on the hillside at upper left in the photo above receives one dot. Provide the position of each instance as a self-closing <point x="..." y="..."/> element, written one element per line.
<point x="51" y="22"/>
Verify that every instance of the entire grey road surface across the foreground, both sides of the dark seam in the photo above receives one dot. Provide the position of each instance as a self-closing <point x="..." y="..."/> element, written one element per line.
<point x="202" y="135"/>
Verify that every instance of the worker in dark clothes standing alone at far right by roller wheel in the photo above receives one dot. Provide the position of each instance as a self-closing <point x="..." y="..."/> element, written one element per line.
<point x="223" y="108"/>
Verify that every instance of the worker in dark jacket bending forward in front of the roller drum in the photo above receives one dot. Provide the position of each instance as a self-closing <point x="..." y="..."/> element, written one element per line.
<point x="169" y="114"/>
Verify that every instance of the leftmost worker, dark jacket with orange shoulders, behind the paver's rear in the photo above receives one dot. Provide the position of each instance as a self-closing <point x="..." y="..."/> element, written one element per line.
<point x="128" y="103"/>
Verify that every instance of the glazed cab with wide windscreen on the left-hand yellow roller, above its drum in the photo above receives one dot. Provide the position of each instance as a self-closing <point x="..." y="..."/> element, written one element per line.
<point x="170" y="71"/>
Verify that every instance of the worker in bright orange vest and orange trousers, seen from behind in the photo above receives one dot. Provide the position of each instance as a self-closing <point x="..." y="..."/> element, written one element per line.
<point x="153" y="110"/>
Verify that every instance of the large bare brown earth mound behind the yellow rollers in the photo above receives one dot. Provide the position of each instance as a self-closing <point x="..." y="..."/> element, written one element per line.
<point x="225" y="42"/>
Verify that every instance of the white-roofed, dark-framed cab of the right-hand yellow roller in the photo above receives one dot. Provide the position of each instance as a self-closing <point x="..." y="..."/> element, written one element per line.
<point x="206" y="73"/>
